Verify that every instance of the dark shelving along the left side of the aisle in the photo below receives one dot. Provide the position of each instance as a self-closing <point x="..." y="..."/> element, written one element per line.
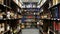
<point x="9" y="14"/>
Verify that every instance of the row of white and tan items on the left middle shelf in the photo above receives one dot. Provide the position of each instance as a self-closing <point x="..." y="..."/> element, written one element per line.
<point x="7" y="15"/>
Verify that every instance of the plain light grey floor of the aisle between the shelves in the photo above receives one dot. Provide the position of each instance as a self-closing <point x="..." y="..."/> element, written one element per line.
<point x="30" y="31"/>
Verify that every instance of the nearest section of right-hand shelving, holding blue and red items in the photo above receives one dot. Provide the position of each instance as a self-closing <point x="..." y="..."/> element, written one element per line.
<point x="54" y="8"/>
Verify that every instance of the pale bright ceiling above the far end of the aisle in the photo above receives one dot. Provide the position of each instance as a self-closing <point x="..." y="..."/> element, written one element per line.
<point x="34" y="2"/>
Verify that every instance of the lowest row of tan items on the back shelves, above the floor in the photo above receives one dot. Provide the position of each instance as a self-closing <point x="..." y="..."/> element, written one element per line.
<point x="31" y="25"/>
